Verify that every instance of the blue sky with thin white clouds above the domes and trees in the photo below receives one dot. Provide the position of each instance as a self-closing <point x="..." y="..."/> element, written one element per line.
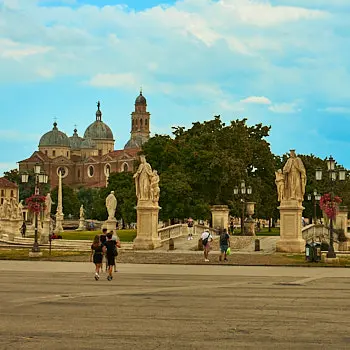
<point x="283" y="63"/>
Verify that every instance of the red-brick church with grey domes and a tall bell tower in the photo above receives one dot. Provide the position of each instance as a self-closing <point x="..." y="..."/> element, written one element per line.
<point x="88" y="160"/>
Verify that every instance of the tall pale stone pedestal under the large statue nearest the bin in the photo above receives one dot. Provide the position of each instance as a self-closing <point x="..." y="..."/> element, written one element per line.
<point x="291" y="240"/>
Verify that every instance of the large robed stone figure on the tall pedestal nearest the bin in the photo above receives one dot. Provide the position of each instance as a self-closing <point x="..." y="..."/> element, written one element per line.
<point x="295" y="178"/>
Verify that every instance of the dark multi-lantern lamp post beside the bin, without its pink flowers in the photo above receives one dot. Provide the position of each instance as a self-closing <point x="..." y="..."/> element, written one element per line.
<point x="332" y="177"/>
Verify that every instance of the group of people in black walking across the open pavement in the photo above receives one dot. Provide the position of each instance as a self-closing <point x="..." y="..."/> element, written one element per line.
<point x="105" y="247"/>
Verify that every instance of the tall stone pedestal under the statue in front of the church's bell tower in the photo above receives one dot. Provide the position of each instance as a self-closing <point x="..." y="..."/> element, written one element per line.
<point x="147" y="226"/>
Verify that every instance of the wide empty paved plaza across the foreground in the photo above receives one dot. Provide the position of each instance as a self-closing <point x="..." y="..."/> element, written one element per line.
<point x="58" y="305"/>
